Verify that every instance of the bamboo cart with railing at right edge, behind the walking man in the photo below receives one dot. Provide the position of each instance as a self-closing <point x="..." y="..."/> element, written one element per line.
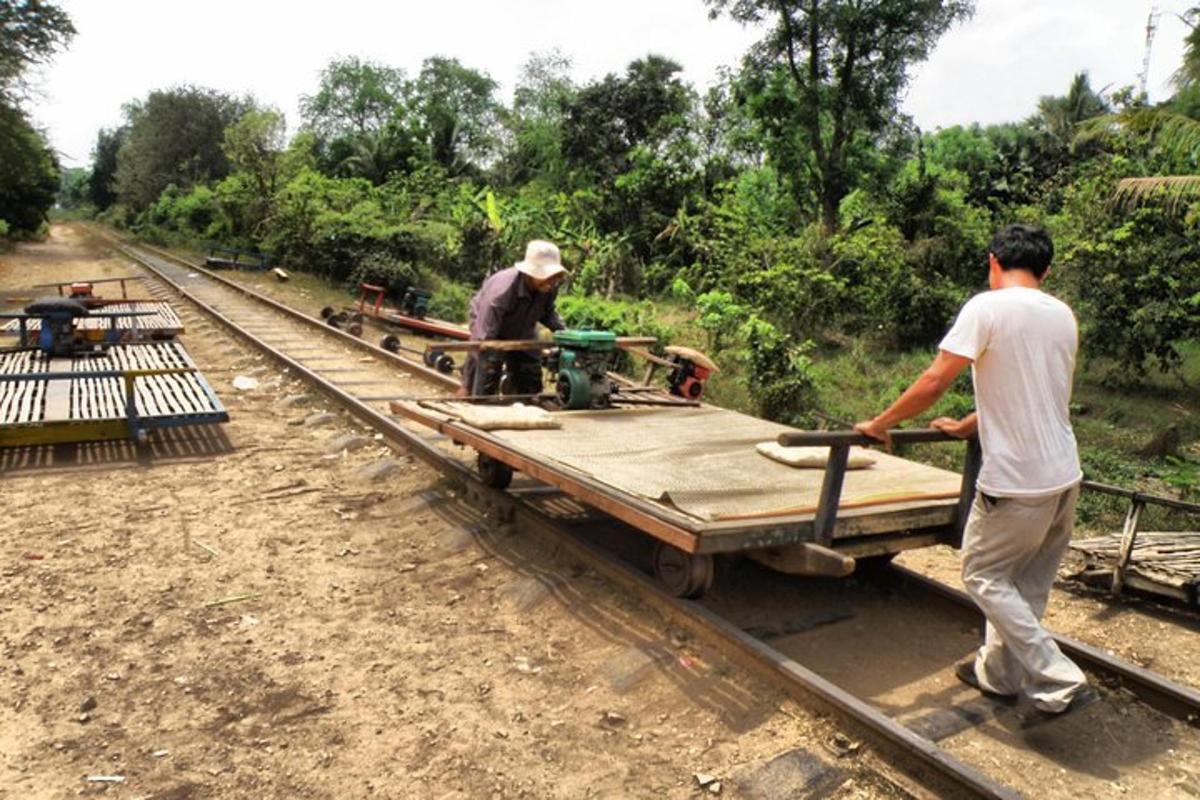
<point x="1162" y="563"/>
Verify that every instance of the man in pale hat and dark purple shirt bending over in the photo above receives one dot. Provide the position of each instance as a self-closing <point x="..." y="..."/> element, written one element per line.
<point x="509" y="306"/>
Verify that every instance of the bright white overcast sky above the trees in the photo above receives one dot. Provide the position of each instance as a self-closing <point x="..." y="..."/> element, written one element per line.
<point x="992" y="69"/>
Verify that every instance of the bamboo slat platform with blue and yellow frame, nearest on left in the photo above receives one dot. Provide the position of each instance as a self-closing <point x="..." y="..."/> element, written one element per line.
<point x="85" y="399"/>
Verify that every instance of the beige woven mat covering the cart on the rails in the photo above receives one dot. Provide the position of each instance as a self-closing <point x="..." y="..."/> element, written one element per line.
<point x="704" y="462"/>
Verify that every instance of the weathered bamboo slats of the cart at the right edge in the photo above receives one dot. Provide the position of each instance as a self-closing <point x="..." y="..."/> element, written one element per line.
<point x="1165" y="563"/>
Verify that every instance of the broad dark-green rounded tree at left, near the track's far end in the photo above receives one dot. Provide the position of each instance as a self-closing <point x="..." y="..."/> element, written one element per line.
<point x="176" y="137"/>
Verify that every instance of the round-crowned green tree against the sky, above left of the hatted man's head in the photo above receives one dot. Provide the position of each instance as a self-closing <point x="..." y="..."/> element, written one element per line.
<point x="458" y="115"/>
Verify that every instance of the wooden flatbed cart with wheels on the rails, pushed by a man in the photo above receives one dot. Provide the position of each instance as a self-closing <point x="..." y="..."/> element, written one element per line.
<point x="691" y="477"/>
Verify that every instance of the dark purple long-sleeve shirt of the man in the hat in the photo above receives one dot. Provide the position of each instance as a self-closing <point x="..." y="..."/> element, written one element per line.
<point x="506" y="309"/>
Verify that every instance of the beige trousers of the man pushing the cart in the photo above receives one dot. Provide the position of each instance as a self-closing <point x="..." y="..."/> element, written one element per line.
<point x="1012" y="549"/>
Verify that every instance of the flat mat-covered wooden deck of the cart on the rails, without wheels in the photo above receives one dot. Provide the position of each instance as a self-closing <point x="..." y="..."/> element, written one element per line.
<point x="692" y="478"/>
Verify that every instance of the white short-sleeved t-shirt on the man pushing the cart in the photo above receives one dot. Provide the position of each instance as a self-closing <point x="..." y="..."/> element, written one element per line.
<point x="1023" y="347"/>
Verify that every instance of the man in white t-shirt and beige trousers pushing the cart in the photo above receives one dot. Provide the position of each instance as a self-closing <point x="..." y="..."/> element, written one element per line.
<point x="1022" y="346"/>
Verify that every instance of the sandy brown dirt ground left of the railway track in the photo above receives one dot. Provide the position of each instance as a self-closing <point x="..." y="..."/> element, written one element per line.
<point x="256" y="613"/>
